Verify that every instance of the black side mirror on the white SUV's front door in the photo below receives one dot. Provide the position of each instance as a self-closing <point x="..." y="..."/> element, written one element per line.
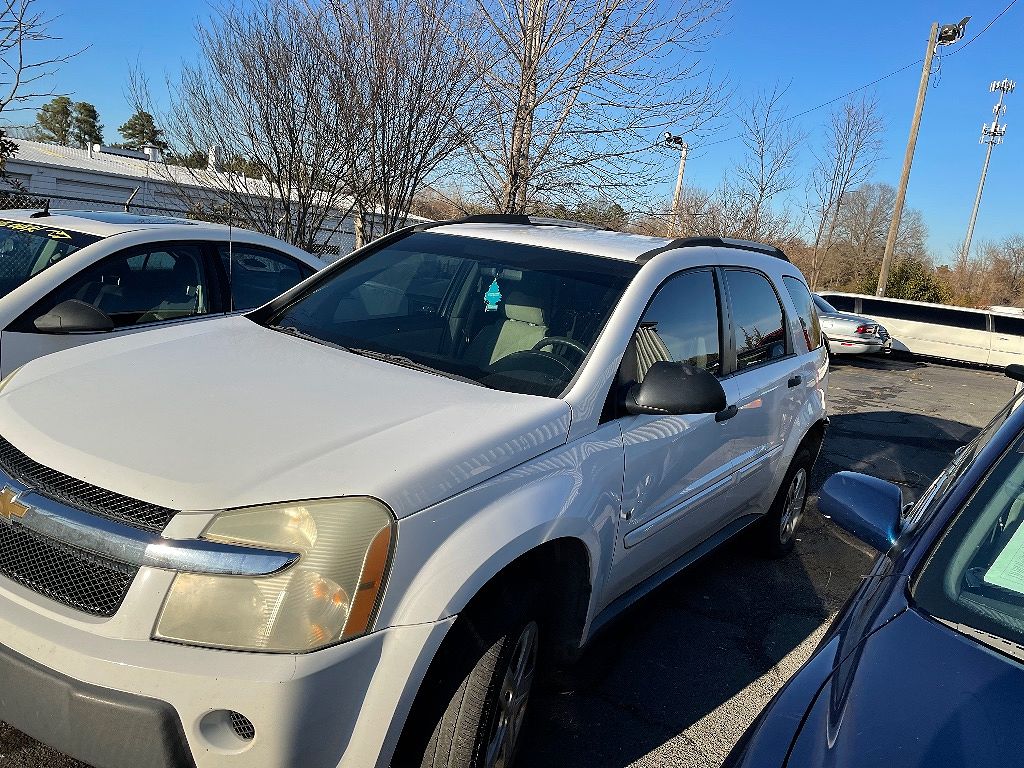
<point x="676" y="390"/>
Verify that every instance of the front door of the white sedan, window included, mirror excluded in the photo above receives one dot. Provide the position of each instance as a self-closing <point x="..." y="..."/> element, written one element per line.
<point x="137" y="289"/>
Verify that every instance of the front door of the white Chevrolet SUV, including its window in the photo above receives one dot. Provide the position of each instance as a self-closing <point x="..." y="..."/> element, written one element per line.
<point x="676" y="467"/>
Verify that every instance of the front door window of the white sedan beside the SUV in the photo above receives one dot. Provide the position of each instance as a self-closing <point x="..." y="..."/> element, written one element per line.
<point x="165" y="282"/>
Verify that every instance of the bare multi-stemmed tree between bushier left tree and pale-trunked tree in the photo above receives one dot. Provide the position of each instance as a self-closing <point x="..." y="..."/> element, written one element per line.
<point x="405" y="72"/>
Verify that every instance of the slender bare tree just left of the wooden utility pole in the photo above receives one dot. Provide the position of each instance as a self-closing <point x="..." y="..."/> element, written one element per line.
<point x="851" y="149"/>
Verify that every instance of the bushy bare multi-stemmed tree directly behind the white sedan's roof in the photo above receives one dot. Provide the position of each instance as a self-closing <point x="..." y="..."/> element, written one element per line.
<point x="260" y="104"/>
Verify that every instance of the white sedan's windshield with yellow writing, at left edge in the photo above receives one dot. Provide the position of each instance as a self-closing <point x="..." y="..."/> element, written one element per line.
<point x="27" y="249"/>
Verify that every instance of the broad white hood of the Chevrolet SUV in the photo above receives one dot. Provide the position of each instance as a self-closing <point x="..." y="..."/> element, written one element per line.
<point x="226" y="413"/>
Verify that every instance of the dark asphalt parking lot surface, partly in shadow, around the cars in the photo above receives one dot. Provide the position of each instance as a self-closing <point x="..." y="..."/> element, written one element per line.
<point x="678" y="680"/>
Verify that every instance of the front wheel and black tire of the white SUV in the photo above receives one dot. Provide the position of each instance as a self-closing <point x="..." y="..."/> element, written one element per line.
<point x="473" y="694"/>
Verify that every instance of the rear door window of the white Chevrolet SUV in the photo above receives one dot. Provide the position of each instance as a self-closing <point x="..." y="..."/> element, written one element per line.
<point x="758" y="322"/>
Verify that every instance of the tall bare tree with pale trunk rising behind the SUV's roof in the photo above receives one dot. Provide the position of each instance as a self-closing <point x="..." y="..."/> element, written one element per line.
<point x="577" y="91"/>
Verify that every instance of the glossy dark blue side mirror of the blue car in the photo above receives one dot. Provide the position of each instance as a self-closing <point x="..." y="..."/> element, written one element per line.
<point x="865" y="506"/>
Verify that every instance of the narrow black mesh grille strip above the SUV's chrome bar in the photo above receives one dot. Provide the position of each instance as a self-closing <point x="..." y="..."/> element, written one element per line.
<point x="84" y="496"/>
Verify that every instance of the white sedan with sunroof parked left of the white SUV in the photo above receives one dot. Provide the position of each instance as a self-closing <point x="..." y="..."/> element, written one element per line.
<point x="68" y="278"/>
